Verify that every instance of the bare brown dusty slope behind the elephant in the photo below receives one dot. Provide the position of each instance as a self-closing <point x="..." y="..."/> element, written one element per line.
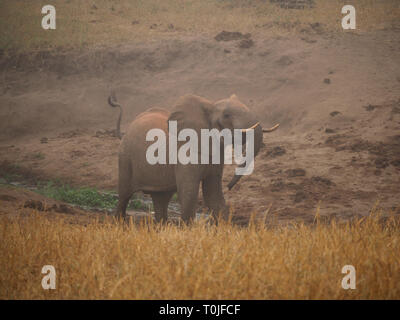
<point x="337" y="99"/>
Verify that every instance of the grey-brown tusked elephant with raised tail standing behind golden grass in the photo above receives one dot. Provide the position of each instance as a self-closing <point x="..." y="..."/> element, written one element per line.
<point x="161" y="181"/>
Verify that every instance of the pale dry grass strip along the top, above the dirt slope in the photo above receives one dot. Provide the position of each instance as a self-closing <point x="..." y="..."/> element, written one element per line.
<point x="104" y="22"/>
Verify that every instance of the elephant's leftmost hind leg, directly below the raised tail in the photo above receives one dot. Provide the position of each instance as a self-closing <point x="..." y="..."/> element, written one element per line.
<point x="125" y="190"/>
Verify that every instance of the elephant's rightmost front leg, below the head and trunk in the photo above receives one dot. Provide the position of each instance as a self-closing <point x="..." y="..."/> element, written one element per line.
<point x="213" y="196"/>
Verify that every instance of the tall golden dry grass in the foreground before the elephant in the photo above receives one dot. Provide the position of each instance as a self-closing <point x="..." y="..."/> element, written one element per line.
<point x="108" y="260"/>
